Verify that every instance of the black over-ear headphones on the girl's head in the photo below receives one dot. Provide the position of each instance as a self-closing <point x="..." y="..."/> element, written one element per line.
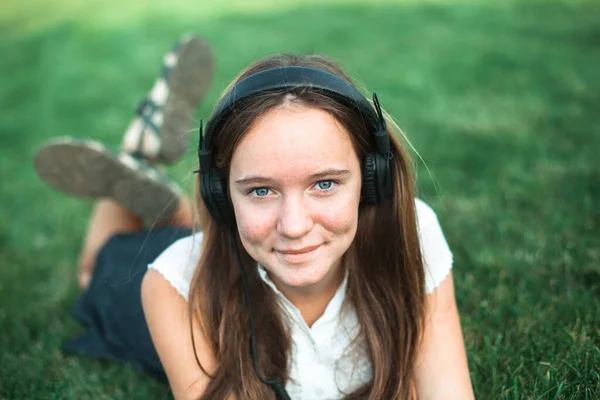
<point x="376" y="171"/>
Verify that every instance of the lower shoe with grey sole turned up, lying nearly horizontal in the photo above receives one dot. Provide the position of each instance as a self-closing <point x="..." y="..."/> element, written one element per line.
<point x="86" y="168"/>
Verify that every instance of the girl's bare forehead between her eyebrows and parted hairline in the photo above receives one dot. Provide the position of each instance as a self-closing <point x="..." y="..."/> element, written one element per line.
<point x="293" y="140"/>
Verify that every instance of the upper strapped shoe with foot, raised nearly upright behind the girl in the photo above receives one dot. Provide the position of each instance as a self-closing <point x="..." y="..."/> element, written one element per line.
<point x="161" y="132"/>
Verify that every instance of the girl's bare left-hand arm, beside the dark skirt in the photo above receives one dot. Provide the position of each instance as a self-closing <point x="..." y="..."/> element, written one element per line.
<point x="166" y="313"/>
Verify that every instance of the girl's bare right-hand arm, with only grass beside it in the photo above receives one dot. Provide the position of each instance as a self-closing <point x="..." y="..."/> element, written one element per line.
<point x="441" y="370"/>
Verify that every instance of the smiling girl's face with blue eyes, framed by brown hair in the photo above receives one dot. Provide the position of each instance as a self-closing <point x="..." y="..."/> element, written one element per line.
<point x="295" y="184"/>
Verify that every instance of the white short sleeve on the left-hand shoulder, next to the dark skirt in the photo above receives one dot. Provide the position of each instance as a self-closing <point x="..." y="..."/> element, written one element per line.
<point x="178" y="263"/>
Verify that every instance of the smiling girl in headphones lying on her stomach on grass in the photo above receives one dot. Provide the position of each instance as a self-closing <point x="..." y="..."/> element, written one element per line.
<point x="316" y="273"/>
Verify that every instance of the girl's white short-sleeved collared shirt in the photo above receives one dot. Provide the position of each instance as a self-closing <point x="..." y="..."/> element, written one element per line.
<point x="322" y="364"/>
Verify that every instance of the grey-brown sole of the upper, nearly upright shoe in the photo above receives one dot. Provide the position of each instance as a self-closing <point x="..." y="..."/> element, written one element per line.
<point x="188" y="83"/>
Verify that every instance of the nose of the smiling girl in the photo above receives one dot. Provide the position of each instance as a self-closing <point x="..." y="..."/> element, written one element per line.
<point x="295" y="219"/>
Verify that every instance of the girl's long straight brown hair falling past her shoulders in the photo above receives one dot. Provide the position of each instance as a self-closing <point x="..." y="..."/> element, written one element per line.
<point x="385" y="269"/>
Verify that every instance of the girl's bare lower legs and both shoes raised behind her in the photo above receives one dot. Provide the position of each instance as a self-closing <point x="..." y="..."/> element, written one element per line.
<point x="129" y="189"/>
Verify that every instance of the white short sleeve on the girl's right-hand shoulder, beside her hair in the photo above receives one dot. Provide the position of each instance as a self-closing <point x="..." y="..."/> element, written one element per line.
<point x="437" y="257"/>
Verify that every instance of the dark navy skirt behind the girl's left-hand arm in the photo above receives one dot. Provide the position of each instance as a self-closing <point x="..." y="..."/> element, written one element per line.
<point x="111" y="309"/>
